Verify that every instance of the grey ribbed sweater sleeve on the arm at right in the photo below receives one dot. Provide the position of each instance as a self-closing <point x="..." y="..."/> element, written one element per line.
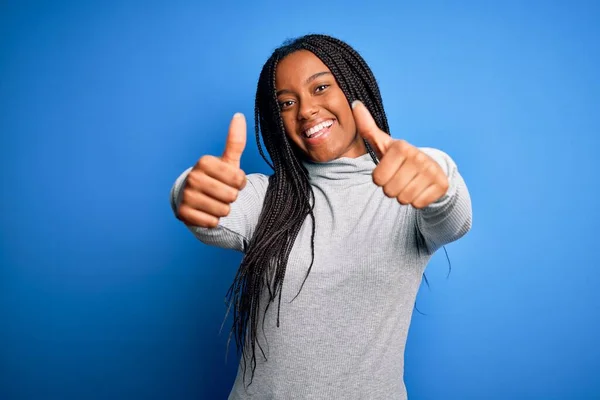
<point x="448" y="218"/>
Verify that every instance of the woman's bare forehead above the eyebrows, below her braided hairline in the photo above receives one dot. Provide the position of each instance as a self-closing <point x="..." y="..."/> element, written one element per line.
<point x="297" y="67"/>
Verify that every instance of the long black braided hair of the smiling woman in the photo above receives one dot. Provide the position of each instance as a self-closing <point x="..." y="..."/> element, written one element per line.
<point x="289" y="198"/>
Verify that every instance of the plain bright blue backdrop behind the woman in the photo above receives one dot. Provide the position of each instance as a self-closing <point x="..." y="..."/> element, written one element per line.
<point x="104" y="295"/>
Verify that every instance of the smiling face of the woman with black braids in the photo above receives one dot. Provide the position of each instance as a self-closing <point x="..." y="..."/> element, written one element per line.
<point x="315" y="112"/>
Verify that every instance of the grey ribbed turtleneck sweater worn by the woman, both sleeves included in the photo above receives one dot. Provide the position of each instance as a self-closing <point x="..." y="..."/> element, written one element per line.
<point x="344" y="336"/>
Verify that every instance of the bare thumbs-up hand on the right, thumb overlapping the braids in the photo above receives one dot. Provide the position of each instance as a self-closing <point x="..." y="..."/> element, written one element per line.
<point x="404" y="171"/>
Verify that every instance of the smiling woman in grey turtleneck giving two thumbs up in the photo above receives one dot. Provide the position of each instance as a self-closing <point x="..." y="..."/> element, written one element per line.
<point x="338" y="236"/>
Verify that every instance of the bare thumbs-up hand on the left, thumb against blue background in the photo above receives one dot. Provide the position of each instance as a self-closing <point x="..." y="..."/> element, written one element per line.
<point x="214" y="182"/>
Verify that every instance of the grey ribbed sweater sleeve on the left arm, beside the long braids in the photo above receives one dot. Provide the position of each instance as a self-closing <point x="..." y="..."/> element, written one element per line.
<point x="235" y="230"/>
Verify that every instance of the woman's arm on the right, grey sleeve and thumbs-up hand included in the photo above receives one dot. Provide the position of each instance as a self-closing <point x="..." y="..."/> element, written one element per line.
<point x="425" y="178"/>
